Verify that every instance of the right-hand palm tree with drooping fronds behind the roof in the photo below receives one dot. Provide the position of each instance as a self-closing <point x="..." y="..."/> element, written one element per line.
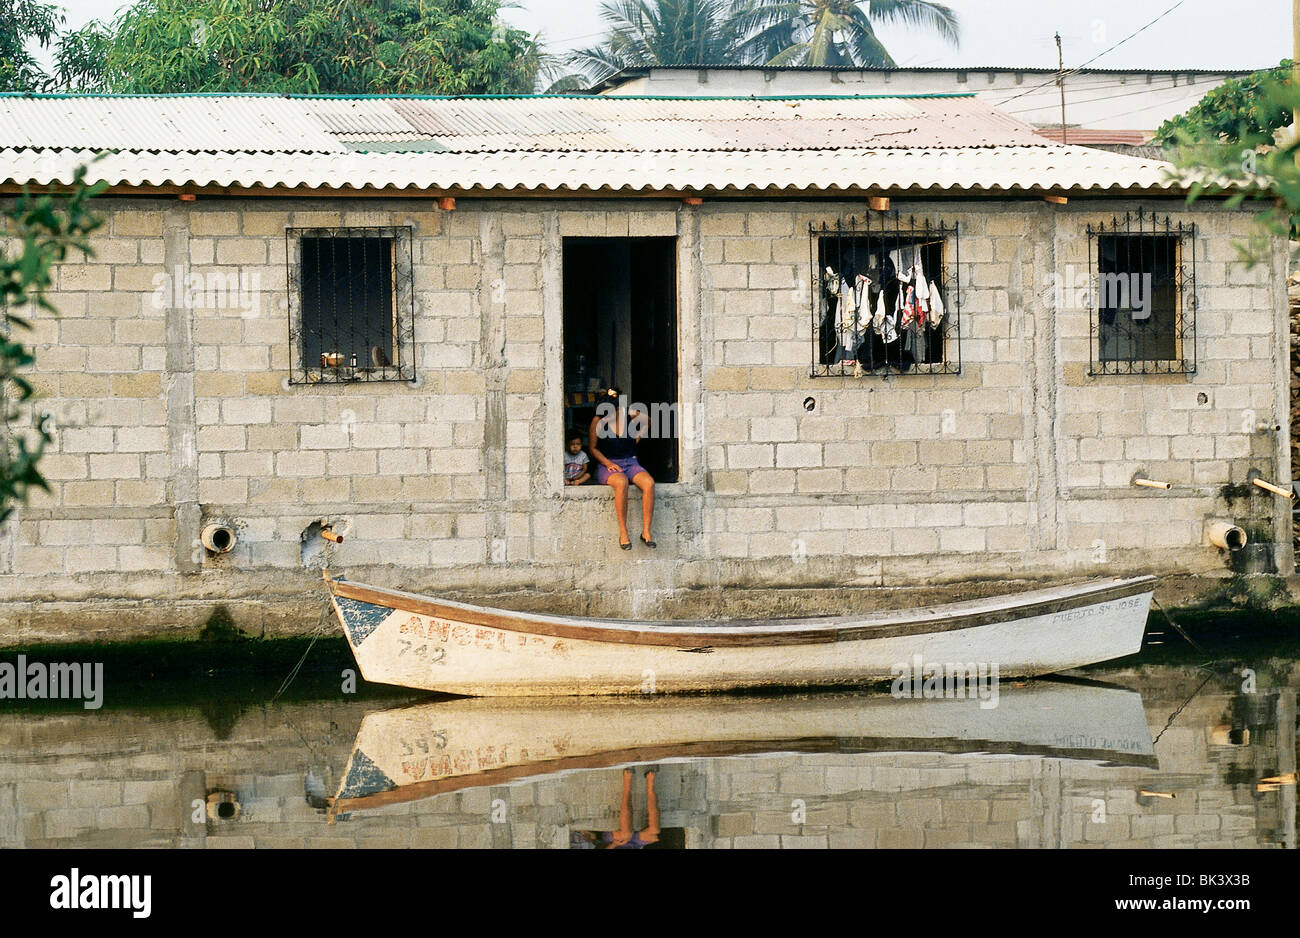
<point x="822" y="33"/>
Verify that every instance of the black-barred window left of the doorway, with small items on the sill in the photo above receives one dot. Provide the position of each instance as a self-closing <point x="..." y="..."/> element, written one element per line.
<point x="352" y="305"/>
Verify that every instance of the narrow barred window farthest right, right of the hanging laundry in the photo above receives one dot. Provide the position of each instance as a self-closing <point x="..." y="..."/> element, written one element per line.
<point x="1142" y="277"/>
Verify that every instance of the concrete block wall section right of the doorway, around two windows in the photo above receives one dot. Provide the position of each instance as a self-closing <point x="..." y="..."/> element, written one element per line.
<point x="1024" y="453"/>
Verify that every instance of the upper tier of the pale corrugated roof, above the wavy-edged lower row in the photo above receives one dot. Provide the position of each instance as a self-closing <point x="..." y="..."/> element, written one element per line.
<point x="315" y="125"/>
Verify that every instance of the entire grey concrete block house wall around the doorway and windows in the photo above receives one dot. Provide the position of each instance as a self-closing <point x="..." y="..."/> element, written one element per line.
<point x="174" y="411"/>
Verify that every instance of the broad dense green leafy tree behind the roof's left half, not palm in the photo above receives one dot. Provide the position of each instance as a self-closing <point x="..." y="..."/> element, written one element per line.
<point x="449" y="47"/>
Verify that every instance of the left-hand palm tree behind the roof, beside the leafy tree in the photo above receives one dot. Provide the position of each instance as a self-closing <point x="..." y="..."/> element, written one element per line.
<point x="658" y="33"/>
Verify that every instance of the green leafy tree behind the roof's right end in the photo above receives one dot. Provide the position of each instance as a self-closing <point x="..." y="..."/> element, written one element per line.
<point x="1236" y="111"/>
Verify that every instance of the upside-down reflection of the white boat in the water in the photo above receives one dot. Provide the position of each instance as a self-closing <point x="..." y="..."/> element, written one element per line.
<point x="414" y="753"/>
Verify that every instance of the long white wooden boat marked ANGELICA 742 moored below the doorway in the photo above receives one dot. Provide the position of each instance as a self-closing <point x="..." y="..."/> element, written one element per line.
<point x="428" y="644"/>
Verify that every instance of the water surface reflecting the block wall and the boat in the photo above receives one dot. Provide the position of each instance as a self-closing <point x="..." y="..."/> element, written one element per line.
<point x="1055" y="766"/>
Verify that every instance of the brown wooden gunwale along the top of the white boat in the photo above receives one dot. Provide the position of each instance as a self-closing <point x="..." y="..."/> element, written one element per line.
<point x="807" y="631"/>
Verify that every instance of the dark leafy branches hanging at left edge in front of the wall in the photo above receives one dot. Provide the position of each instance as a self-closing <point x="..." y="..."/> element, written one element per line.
<point x="40" y="233"/>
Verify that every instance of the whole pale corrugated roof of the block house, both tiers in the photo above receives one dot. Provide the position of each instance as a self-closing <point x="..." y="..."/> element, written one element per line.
<point x="549" y="144"/>
